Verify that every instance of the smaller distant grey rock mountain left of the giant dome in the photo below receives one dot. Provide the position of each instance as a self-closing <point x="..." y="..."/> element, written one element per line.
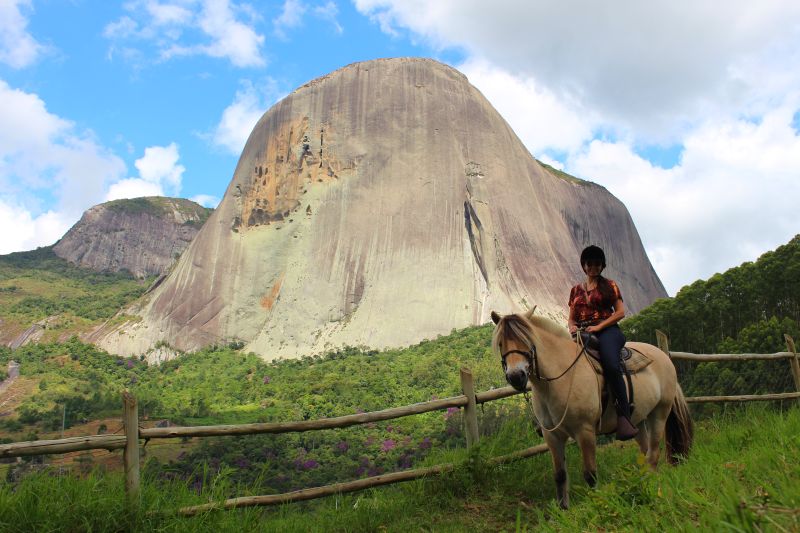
<point x="142" y="235"/>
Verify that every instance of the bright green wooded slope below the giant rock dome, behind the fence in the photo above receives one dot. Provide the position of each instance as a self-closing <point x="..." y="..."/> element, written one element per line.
<point x="73" y="382"/>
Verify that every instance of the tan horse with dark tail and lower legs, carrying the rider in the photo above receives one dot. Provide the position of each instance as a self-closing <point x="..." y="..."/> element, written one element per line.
<point x="567" y="395"/>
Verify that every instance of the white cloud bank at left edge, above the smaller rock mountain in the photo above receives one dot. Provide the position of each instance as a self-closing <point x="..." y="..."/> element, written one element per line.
<point x="50" y="173"/>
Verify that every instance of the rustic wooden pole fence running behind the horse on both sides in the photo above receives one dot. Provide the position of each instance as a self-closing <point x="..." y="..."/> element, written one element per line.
<point x="468" y="400"/>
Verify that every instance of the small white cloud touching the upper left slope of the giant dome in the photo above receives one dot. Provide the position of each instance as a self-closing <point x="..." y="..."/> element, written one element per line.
<point x="239" y="118"/>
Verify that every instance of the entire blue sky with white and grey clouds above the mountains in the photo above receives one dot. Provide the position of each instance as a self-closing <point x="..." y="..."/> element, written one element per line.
<point x="687" y="111"/>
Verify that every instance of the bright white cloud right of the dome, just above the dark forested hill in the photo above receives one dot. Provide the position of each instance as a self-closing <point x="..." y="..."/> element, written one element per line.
<point x="731" y="197"/>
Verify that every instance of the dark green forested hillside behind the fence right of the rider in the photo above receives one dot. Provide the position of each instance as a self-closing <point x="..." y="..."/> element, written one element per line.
<point x="746" y="309"/>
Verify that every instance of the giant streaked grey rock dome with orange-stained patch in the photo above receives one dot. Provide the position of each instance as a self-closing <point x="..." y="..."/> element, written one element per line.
<point x="379" y="205"/>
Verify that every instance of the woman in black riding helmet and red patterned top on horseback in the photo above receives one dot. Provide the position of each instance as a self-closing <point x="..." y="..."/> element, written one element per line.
<point x="596" y="305"/>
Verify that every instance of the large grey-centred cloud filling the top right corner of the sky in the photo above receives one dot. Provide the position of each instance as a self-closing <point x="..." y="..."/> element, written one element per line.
<point x="651" y="66"/>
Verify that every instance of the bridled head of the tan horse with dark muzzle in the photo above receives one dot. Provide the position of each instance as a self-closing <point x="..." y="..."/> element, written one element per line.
<point x="513" y="341"/>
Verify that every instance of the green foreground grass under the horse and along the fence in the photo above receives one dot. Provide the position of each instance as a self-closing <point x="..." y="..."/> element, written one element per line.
<point x="742" y="475"/>
